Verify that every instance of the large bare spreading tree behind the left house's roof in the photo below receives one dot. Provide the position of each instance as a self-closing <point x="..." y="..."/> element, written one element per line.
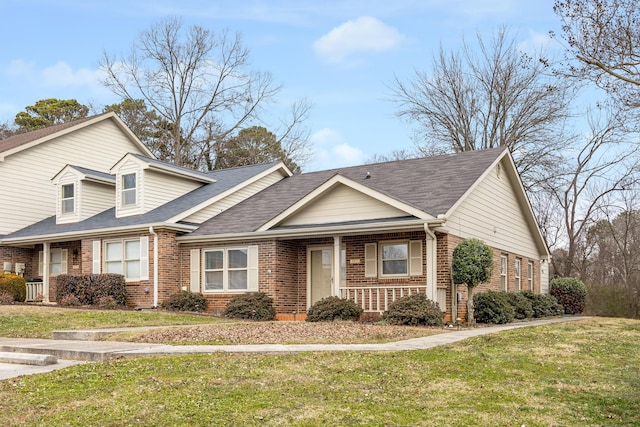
<point x="199" y="84"/>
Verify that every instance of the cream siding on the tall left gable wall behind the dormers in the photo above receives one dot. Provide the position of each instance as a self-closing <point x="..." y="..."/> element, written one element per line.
<point x="29" y="196"/>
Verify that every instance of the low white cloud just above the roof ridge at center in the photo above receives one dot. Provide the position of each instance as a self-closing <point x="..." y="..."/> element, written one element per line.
<point x="330" y="151"/>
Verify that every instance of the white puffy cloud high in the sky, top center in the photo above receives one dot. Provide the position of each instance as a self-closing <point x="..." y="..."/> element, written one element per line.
<point x="364" y="34"/>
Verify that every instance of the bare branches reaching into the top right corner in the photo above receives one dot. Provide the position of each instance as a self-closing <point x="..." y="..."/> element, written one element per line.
<point x="604" y="37"/>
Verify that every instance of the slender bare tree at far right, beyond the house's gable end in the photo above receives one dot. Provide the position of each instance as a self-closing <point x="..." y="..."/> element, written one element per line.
<point x="602" y="168"/>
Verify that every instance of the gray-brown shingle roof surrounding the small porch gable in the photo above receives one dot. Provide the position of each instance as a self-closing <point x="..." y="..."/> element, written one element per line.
<point x="431" y="184"/>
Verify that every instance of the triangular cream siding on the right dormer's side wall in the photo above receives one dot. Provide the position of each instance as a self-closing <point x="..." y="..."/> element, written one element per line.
<point x="159" y="188"/>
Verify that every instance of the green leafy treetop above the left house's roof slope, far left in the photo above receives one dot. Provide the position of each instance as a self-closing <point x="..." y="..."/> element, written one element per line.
<point x="48" y="112"/>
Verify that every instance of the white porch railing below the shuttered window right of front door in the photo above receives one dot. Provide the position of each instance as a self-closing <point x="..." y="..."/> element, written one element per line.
<point x="377" y="299"/>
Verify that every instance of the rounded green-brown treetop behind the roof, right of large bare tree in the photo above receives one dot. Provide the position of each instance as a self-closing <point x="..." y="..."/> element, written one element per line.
<point x="252" y="146"/>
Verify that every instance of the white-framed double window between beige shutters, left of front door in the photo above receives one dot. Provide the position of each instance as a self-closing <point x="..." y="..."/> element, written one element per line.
<point x="226" y="270"/>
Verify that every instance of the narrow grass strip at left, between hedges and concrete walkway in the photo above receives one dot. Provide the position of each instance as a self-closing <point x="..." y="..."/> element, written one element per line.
<point x="18" y="321"/>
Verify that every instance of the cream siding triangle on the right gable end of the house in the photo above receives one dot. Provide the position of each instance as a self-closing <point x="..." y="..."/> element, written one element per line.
<point x="493" y="213"/>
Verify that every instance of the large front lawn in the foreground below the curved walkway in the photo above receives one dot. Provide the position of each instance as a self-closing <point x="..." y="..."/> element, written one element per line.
<point x="581" y="373"/>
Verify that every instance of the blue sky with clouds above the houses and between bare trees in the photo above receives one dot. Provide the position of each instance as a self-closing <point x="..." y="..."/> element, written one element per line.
<point x="342" y="56"/>
